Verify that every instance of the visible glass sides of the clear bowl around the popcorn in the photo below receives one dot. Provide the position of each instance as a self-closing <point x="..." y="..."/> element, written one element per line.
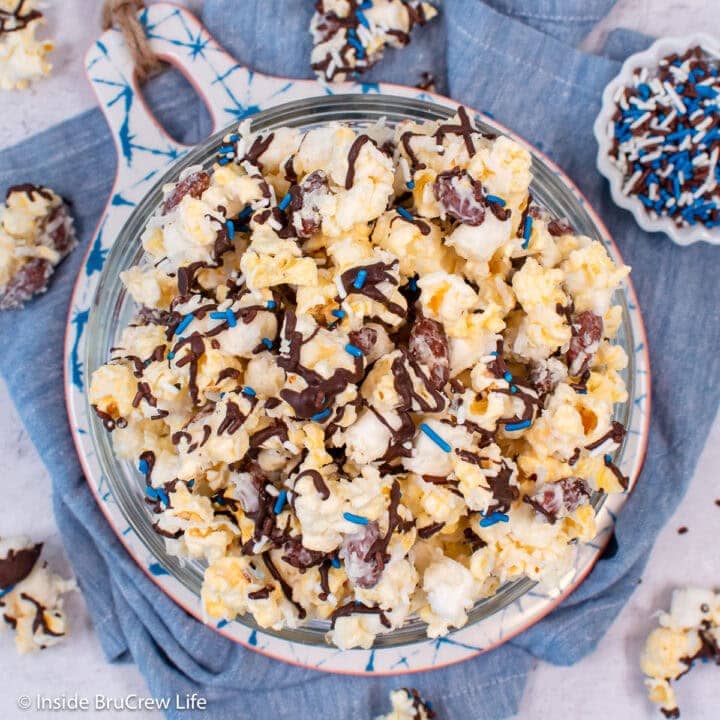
<point x="113" y="310"/>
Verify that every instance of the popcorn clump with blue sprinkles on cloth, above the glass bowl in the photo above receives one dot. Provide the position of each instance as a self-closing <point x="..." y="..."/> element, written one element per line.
<point x="350" y="36"/>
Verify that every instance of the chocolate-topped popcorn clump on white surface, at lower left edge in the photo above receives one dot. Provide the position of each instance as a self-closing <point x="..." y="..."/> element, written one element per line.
<point x="31" y="600"/>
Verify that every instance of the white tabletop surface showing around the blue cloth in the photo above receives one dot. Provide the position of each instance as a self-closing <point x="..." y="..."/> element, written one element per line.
<point x="606" y="684"/>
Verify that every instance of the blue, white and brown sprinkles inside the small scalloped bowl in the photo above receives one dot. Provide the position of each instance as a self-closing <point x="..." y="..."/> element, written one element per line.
<point x="666" y="138"/>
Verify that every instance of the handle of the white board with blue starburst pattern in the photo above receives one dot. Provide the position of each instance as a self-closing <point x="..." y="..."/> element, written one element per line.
<point x="230" y="91"/>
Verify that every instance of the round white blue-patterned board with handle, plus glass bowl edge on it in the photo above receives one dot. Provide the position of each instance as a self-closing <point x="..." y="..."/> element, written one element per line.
<point x="100" y="308"/>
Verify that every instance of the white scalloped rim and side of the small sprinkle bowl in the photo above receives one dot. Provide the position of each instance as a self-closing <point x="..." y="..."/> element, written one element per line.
<point x="648" y="58"/>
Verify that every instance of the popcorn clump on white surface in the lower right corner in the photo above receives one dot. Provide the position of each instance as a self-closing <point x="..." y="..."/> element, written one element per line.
<point x="689" y="632"/>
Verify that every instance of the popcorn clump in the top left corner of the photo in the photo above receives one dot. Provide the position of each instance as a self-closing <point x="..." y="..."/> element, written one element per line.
<point x="22" y="56"/>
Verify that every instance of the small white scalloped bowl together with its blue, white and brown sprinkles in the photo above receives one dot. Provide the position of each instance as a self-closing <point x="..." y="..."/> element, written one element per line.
<point x="659" y="138"/>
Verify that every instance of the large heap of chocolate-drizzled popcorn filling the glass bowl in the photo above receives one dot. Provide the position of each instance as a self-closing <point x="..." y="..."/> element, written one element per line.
<point x="369" y="377"/>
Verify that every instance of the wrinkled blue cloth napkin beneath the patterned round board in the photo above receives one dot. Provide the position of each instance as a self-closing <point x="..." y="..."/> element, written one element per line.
<point x="522" y="68"/>
